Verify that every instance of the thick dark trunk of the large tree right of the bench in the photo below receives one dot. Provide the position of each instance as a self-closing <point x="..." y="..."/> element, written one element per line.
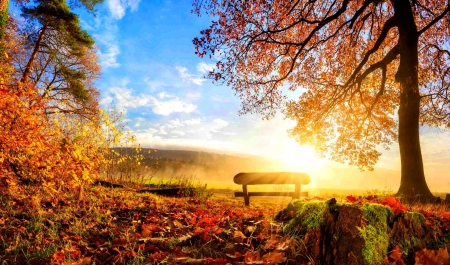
<point x="413" y="182"/>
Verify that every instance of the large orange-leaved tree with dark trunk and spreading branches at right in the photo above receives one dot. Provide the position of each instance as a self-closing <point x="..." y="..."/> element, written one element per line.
<point x="358" y="63"/>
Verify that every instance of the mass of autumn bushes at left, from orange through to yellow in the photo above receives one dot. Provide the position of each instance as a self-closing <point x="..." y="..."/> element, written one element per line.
<point x="59" y="152"/>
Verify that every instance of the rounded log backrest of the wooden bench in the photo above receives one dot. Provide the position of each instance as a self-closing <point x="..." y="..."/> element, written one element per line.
<point x="256" y="178"/>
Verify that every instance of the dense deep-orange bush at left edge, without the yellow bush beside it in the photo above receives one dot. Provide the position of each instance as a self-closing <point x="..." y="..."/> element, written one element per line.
<point x="34" y="149"/>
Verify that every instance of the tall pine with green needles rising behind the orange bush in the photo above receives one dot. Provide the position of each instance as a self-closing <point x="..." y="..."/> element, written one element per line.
<point x="60" y="58"/>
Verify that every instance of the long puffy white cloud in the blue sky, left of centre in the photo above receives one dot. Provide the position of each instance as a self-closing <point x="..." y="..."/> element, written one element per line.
<point x="124" y="99"/>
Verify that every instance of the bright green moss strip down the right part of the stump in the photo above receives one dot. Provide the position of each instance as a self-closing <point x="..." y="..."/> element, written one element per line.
<point x="375" y="233"/>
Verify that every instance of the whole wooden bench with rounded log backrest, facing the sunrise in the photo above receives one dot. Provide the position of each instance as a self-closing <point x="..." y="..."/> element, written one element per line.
<point x="272" y="178"/>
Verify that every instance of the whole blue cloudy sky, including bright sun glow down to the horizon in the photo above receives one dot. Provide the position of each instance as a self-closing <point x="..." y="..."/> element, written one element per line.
<point x="150" y="71"/>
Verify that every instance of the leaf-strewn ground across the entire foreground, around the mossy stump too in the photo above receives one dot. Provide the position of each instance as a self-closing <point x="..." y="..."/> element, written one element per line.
<point x="120" y="226"/>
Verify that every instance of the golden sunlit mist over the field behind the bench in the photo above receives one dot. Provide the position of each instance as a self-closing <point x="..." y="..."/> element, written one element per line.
<point x="218" y="170"/>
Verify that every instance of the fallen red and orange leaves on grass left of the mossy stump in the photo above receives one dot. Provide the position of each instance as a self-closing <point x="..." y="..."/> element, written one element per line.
<point x="118" y="226"/>
